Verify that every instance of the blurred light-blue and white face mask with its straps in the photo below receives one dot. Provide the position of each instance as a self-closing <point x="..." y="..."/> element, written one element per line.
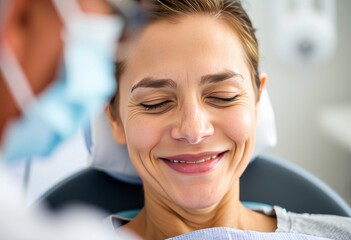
<point x="83" y="87"/>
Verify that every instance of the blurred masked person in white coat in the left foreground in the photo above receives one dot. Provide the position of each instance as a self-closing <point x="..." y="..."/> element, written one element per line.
<point x="56" y="70"/>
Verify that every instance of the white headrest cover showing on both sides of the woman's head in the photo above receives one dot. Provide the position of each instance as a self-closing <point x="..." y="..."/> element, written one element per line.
<point x="113" y="158"/>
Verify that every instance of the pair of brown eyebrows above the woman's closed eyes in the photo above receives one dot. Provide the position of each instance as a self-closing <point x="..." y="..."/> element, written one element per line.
<point x="149" y="82"/>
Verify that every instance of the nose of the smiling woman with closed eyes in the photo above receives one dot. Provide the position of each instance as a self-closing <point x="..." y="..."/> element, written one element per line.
<point x="193" y="125"/>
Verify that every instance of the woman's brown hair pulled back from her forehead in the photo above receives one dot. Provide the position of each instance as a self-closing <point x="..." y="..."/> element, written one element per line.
<point x="231" y="11"/>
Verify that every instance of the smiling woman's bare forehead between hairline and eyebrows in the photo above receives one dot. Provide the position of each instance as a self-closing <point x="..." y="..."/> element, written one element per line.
<point x="191" y="45"/>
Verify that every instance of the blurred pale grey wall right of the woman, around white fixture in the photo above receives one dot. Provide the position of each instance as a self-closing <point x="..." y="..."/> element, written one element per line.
<point x="312" y="103"/>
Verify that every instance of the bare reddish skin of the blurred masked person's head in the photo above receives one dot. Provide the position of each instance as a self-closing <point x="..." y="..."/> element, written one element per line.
<point x="32" y="29"/>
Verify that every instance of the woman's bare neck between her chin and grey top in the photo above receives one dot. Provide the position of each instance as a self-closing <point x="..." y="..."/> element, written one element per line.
<point x="160" y="219"/>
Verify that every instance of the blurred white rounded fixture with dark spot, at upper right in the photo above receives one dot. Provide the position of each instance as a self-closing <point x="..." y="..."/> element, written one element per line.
<point x="305" y="30"/>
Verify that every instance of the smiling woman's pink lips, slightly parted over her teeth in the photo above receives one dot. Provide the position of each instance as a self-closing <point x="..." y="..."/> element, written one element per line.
<point x="192" y="164"/>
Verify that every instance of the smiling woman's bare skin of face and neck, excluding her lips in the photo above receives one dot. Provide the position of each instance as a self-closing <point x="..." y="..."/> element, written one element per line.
<point x="188" y="116"/>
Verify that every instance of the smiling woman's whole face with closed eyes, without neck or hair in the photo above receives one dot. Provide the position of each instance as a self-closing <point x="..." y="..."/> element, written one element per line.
<point x="187" y="110"/>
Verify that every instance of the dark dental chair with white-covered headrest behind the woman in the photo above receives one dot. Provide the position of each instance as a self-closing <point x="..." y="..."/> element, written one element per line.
<point x="112" y="184"/>
